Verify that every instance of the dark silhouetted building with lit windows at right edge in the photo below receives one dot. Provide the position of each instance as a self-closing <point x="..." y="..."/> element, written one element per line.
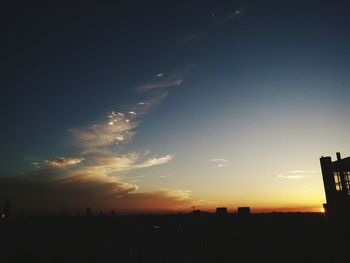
<point x="336" y="180"/>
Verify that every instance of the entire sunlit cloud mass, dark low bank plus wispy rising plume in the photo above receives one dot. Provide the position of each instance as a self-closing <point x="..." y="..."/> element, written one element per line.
<point x="90" y="179"/>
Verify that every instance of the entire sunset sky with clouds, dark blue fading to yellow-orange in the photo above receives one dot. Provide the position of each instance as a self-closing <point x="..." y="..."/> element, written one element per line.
<point x="158" y="107"/>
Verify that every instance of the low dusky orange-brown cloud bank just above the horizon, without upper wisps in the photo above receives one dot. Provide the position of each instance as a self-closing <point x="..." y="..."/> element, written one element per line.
<point x="47" y="191"/>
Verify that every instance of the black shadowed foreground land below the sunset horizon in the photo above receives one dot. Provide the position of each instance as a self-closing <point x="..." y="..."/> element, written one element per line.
<point x="290" y="237"/>
